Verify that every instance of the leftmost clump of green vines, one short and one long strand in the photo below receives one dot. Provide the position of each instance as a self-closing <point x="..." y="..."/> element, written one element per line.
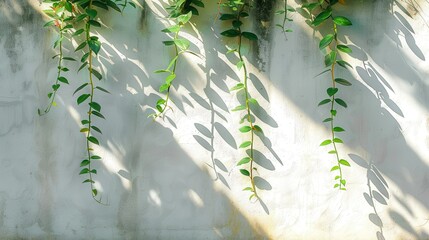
<point x="80" y="16"/>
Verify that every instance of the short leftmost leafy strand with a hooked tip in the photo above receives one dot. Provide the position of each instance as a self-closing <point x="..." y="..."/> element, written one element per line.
<point x="60" y="13"/>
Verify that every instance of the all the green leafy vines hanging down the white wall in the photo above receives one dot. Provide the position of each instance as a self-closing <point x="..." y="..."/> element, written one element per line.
<point x="79" y="20"/>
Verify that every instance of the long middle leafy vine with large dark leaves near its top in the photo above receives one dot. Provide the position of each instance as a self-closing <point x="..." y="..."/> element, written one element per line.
<point x="239" y="10"/>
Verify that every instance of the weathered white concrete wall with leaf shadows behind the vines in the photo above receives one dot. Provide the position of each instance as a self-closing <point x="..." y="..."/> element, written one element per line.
<point x="175" y="178"/>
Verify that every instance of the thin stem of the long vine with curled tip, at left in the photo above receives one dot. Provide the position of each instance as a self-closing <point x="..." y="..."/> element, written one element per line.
<point x="91" y="84"/>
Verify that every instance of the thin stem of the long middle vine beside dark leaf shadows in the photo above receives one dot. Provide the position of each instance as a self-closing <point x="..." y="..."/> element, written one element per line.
<point x="249" y="118"/>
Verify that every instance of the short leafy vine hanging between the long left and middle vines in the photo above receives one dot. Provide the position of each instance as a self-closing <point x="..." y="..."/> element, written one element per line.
<point x="181" y="12"/>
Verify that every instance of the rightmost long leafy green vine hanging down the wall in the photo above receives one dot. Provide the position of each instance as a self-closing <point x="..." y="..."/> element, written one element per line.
<point x="332" y="46"/>
